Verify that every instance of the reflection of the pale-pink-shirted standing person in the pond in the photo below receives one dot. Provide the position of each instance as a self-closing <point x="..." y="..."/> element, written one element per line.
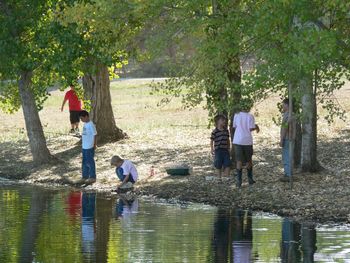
<point x="242" y="237"/>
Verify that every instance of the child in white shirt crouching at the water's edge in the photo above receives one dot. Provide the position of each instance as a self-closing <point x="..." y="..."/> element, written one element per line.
<point x="125" y="170"/>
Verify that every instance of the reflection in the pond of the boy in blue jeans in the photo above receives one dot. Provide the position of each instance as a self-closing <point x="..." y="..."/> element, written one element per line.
<point x="88" y="225"/>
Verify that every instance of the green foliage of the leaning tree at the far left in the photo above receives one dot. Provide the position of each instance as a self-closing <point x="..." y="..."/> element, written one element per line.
<point x="28" y="45"/>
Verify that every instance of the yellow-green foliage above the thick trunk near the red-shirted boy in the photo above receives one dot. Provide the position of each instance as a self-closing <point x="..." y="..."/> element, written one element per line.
<point x="98" y="31"/>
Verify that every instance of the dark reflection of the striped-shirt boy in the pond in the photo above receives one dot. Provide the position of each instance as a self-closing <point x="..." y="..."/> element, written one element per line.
<point x="221" y="236"/>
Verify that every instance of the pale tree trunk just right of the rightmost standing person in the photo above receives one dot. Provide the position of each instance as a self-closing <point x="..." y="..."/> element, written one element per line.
<point x="309" y="127"/>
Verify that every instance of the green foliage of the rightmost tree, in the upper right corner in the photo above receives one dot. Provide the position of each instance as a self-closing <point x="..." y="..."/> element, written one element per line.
<point x="294" y="40"/>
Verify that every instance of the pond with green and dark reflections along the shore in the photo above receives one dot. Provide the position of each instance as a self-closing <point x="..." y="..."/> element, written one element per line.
<point x="40" y="225"/>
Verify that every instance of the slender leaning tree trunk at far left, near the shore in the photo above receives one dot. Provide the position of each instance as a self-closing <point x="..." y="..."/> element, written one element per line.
<point x="37" y="141"/>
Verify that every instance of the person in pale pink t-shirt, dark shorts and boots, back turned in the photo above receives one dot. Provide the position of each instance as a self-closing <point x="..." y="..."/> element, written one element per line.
<point x="243" y="125"/>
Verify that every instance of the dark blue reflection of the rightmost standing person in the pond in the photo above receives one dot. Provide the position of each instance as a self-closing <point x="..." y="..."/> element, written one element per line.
<point x="290" y="252"/>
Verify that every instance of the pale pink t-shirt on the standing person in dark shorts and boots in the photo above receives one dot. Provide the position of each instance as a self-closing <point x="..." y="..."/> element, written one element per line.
<point x="243" y="122"/>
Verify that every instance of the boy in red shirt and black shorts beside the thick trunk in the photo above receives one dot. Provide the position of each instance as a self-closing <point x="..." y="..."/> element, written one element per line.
<point x="74" y="108"/>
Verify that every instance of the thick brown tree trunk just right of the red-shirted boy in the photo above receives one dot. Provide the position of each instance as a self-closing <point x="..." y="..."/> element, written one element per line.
<point x="97" y="91"/>
